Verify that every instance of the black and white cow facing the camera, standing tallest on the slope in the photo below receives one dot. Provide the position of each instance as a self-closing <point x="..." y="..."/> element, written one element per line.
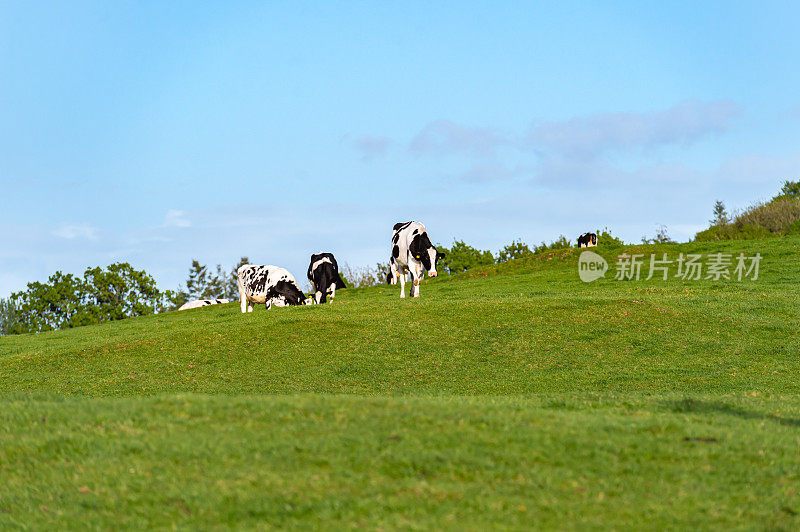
<point x="412" y="251"/>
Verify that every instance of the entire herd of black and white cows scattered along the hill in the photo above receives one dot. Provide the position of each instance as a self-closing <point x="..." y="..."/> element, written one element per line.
<point x="413" y="253"/>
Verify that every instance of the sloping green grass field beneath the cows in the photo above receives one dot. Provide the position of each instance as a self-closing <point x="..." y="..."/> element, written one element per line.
<point x="508" y="397"/>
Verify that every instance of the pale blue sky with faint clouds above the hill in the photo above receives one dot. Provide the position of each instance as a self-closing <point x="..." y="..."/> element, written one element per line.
<point x="156" y="133"/>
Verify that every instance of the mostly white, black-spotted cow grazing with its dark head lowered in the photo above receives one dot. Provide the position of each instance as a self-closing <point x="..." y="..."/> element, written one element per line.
<point x="271" y="285"/>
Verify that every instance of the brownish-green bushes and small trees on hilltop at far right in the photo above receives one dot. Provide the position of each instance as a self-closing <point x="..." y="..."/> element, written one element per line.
<point x="779" y="216"/>
